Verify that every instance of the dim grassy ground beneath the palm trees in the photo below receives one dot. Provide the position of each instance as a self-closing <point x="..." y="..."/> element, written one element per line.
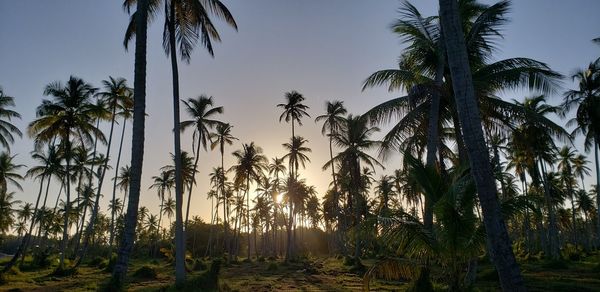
<point x="316" y="274"/>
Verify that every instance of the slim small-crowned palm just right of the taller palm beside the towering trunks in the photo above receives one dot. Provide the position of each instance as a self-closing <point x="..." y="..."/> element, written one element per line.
<point x="220" y="137"/>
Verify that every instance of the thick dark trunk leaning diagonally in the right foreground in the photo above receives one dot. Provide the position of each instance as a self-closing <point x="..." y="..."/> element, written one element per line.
<point x="500" y="247"/>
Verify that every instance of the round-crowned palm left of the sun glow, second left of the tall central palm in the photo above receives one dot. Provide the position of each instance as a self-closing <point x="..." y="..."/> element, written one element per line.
<point x="250" y="167"/>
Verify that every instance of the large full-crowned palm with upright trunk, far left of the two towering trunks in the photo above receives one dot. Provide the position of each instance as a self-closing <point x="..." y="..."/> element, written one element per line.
<point x="69" y="117"/>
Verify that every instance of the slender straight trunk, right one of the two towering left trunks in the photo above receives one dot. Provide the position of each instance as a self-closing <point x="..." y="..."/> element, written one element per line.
<point x="179" y="233"/>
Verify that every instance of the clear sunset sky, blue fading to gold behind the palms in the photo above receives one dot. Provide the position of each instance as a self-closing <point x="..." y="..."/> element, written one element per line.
<point x="322" y="48"/>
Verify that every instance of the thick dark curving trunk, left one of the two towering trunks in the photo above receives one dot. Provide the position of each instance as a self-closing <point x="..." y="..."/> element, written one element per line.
<point x="137" y="147"/>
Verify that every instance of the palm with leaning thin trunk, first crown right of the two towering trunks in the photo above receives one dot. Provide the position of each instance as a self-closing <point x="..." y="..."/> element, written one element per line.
<point x="201" y="111"/>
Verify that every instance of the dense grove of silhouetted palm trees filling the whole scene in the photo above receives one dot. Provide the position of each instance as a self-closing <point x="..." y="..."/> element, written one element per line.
<point x="430" y="211"/>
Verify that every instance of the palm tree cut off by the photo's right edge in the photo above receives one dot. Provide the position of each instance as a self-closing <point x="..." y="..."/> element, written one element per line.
<point x="587" y="100"/>
